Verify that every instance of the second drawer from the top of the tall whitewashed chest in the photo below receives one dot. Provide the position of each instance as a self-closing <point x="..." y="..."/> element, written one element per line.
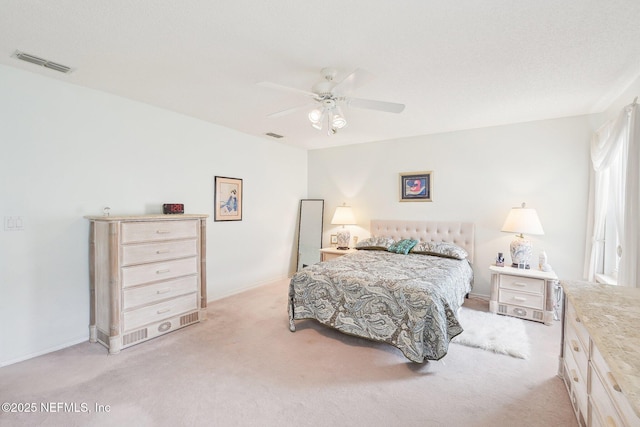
<point x="161" y="251"/>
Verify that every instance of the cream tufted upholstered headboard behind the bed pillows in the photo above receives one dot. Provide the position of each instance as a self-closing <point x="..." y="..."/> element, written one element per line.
<point x="460" y="233"/>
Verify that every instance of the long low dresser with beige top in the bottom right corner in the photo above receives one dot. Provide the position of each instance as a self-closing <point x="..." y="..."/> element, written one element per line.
<point x="600" y="353"/>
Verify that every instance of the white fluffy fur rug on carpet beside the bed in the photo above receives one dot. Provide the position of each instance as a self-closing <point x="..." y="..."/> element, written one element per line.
<point x="493" y="332"/>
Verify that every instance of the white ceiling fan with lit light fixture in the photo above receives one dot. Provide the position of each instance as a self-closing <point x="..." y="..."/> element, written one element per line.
<point x="328" y="96"/>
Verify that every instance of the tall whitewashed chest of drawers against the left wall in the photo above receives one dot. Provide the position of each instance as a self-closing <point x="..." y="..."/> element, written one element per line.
<point x="147" y="276"/>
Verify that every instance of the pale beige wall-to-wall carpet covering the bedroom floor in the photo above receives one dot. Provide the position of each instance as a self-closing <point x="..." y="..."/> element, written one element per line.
<point x="243" y="367"/>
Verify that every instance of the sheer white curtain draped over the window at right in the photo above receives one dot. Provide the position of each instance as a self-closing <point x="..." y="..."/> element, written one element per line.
<point x="615" y="157"/>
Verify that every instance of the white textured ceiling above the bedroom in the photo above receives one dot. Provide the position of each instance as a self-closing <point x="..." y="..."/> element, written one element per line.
<point x="455" y="65"/>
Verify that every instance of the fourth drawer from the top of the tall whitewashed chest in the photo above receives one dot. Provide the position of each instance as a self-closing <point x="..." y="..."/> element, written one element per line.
<point x="147" y="294"/>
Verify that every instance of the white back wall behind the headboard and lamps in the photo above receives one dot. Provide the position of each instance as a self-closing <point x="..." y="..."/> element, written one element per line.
<point x="478" y="175"/>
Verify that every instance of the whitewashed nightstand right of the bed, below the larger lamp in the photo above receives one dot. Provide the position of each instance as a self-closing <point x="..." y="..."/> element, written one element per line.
<point x="524" y="293"/>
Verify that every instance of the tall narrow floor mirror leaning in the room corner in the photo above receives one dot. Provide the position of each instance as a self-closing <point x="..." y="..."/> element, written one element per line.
<point x="310" y="232"/>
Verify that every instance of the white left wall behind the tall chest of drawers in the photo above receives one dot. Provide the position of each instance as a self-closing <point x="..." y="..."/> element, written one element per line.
<point x="67" y="152"/>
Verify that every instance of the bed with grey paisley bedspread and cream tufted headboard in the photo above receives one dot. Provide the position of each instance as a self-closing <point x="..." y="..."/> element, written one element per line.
<point x="409" y="301"/>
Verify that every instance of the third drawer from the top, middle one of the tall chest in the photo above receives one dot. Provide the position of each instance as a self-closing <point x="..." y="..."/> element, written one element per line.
<point x="147" y="273"/>
